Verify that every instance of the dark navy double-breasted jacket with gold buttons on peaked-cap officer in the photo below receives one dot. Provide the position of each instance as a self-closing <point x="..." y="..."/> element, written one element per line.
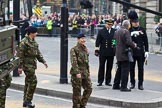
<point x="104" y="42"/>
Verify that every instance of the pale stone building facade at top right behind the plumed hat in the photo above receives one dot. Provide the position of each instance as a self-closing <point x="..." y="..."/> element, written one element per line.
<point x="155" y="5"/>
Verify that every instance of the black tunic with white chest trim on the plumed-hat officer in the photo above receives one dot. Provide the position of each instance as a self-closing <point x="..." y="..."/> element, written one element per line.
<point x="139" y="36"/>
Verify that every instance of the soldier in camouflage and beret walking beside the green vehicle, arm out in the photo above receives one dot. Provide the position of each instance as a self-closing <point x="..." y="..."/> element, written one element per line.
<point x="29" y="53"/>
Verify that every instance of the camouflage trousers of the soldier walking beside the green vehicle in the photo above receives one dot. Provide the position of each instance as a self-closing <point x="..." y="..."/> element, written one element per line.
<point x="30" y="84"/>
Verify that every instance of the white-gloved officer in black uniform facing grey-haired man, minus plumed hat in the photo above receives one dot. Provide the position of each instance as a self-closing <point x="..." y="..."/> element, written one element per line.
<point x="140" y="55"/>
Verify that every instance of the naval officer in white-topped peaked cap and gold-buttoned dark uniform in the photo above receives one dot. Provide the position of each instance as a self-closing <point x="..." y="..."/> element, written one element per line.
<point x="105" y="50"/>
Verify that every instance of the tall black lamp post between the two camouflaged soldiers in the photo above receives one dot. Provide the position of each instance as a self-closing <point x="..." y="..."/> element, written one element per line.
<point x="64" y="43"/>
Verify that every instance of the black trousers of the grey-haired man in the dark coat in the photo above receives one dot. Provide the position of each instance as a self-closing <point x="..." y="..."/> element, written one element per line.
<point x="122" y="73"/>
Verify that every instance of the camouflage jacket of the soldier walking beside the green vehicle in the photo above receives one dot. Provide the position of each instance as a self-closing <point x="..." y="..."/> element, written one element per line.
<point x="29" y="53"/>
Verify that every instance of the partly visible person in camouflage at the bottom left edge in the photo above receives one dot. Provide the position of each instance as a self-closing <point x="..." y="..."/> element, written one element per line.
<point x="4" y="85"/>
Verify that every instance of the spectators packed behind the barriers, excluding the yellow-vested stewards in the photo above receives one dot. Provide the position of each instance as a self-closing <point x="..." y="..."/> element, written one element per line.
<point x="82" y="20"/>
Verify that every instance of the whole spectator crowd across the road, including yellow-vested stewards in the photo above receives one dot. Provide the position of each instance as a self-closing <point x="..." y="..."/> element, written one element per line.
<point x="51" y="22"/>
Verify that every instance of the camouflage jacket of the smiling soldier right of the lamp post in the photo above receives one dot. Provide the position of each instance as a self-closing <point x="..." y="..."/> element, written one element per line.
<point x="79" y="61"/>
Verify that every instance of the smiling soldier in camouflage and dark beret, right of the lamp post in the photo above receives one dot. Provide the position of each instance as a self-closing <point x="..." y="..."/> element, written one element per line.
<point x="80" y="75"/>
